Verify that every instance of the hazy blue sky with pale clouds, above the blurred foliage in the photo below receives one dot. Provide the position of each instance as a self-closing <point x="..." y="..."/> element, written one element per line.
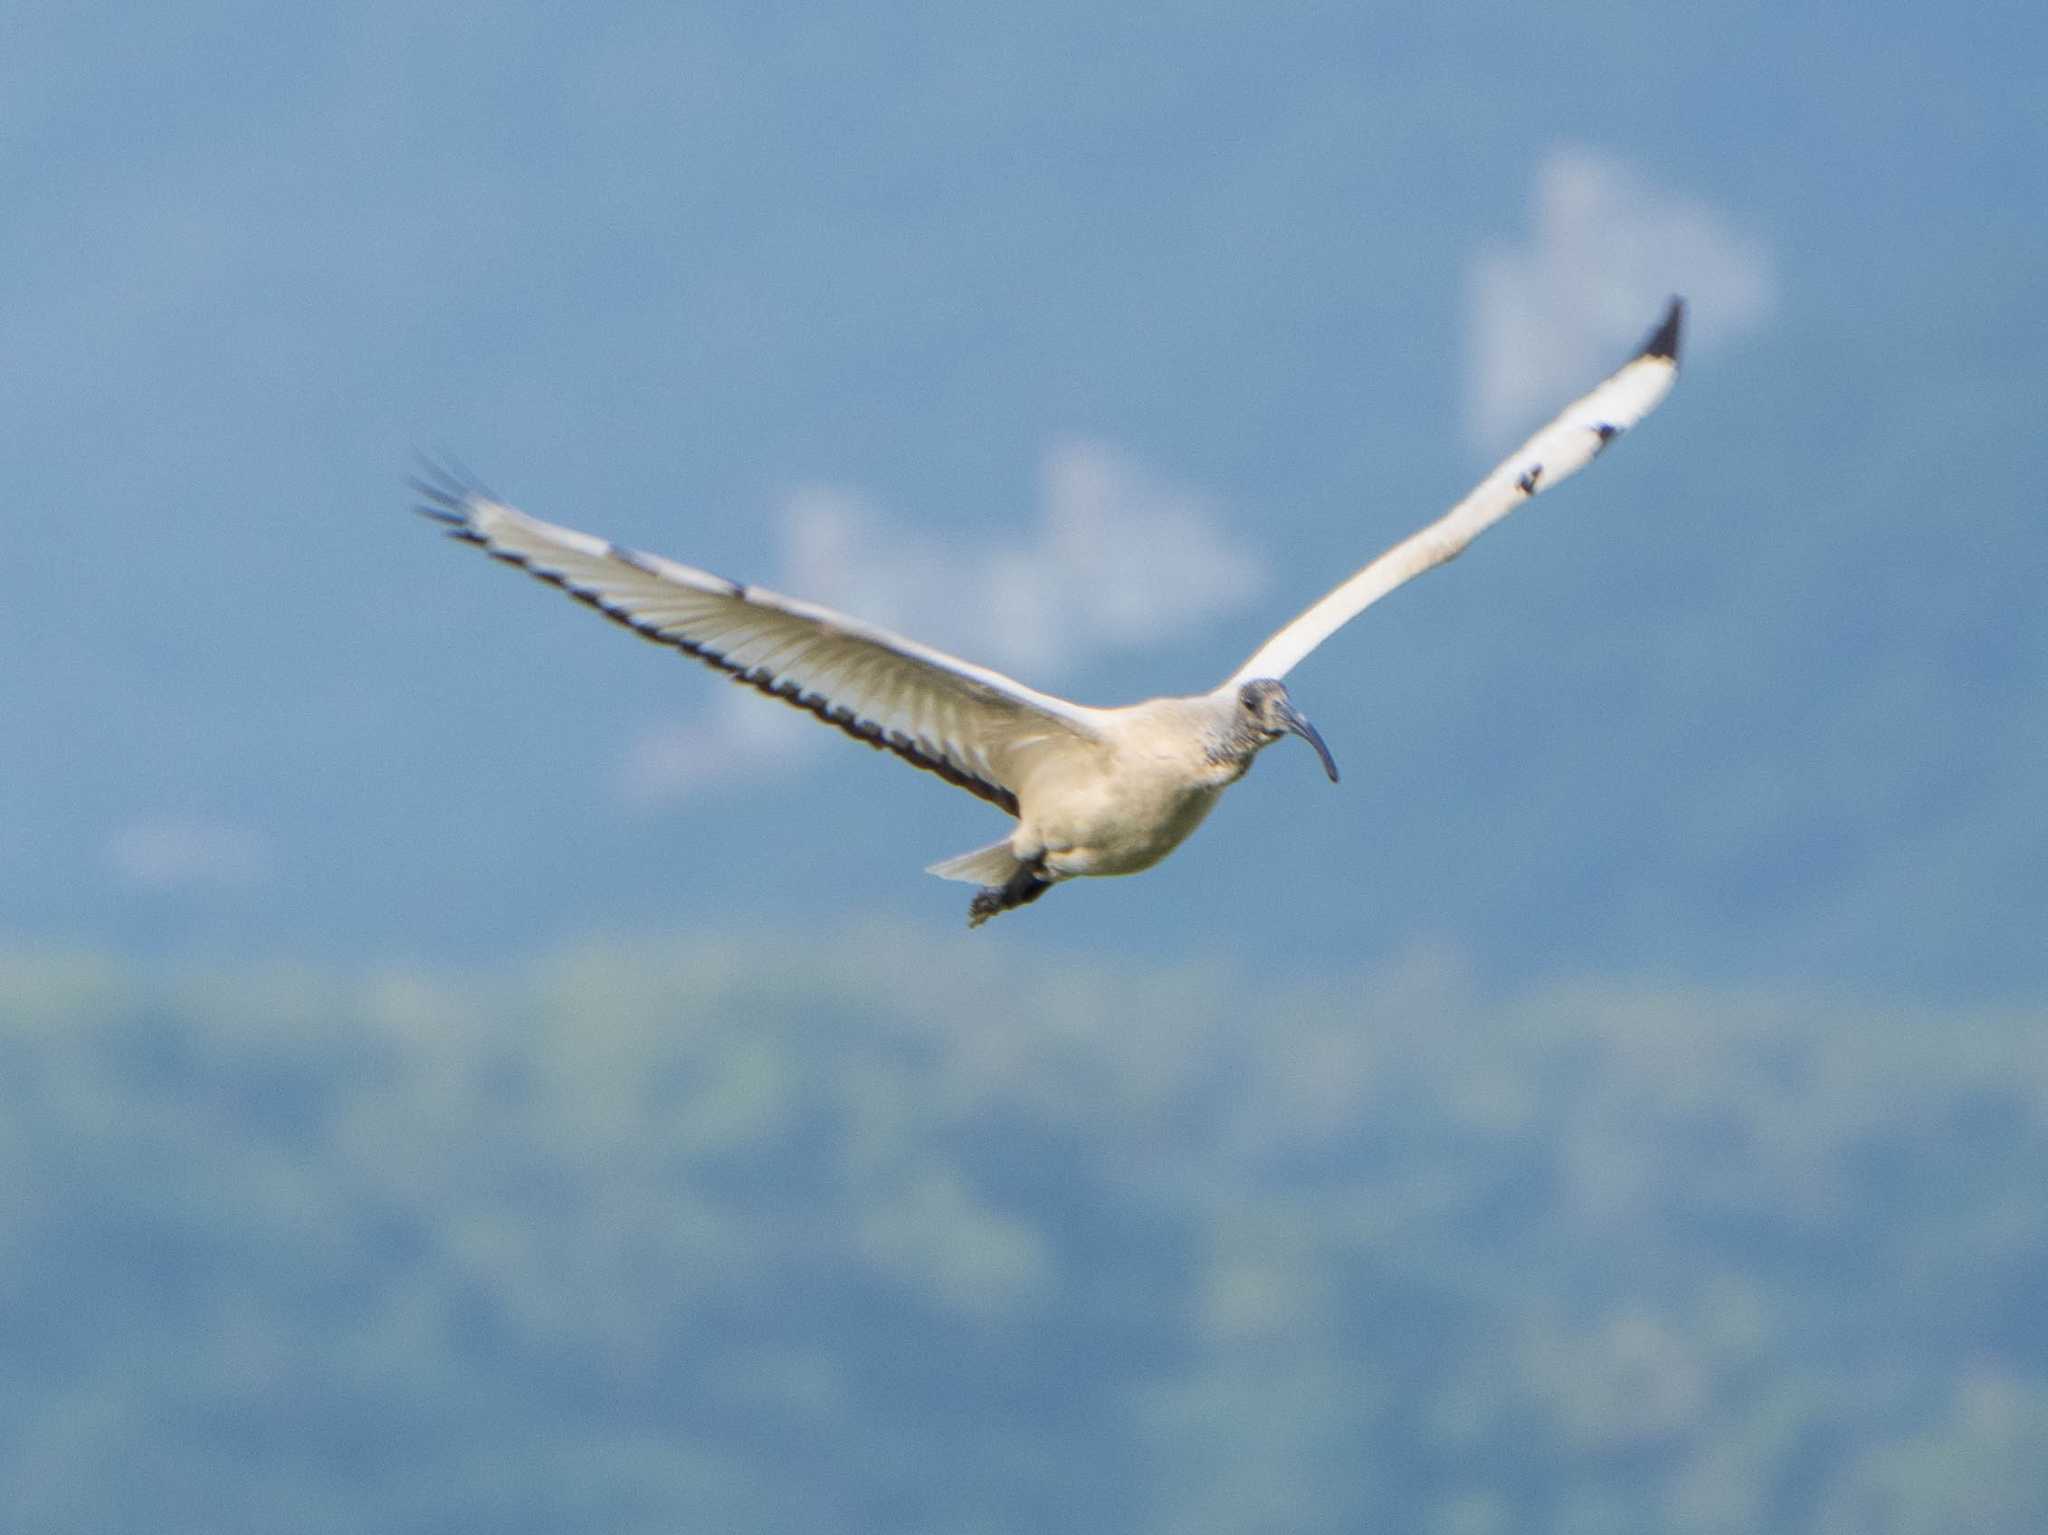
<point x="912" y="306"/>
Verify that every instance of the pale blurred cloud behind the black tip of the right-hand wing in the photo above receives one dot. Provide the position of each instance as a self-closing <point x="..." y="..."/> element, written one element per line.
<point x="1607" y="251"/>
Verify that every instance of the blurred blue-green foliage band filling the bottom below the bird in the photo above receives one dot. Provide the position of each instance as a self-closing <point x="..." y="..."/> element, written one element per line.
<point x="884" y="1235"/>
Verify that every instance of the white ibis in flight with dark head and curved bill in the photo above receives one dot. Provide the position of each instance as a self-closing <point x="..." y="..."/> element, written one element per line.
<point x="1095" y="791"/>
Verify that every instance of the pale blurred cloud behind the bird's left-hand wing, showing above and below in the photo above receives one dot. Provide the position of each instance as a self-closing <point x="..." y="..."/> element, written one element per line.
<point x="1117" y="560"/>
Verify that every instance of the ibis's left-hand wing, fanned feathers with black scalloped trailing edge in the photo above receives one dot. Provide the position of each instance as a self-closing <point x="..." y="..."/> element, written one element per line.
<point x="966" y="723"/>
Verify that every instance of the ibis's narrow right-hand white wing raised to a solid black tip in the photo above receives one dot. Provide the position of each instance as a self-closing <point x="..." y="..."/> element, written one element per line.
<point x="1562" y="449"/>
